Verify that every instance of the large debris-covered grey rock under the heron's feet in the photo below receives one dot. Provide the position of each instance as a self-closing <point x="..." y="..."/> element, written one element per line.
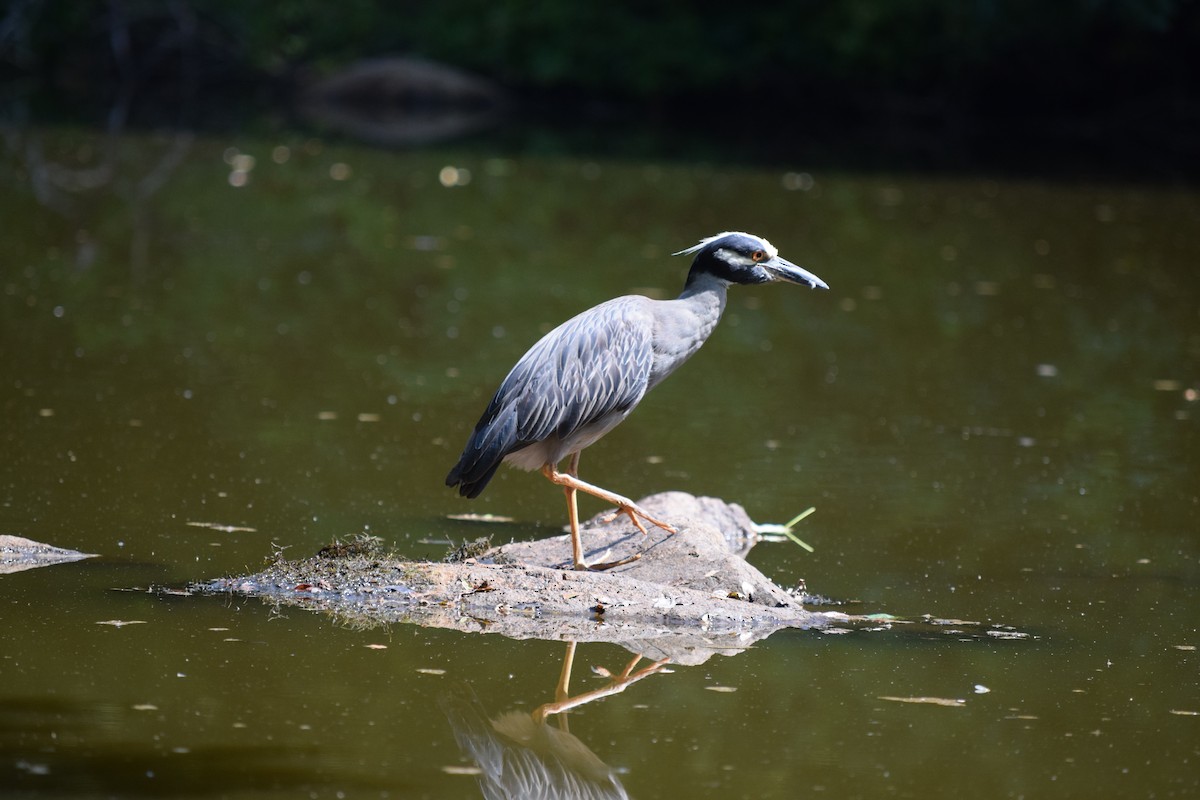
<point x="689" y="597"/>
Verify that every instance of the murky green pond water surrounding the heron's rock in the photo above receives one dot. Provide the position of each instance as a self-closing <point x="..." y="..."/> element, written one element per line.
<point x="994" y="411"/>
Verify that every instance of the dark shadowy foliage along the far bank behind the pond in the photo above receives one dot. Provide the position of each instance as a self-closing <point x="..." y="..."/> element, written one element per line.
<point x="1126" y="62"/>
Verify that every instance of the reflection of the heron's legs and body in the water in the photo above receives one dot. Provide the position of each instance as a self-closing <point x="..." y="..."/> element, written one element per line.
<point x="520" y="755"/>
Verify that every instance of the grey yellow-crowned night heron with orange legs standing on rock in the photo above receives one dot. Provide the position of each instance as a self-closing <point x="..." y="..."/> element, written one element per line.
<point x="580" y="381"/>
